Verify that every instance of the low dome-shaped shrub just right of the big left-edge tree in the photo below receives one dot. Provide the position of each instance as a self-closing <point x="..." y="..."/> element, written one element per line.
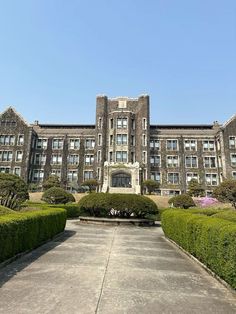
<point x="56" y="195"/>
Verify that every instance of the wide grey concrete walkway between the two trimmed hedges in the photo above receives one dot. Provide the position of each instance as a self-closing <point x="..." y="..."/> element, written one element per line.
<point x="110" y="269"/>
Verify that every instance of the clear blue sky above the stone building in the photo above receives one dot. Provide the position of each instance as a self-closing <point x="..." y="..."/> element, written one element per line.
<point x="57" y="55"/>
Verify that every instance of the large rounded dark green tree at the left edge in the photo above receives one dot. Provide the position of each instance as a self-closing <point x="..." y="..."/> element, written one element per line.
<point x="13" y="190"/>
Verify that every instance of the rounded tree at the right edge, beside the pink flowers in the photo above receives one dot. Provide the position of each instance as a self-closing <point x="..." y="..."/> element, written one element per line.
<point x="226" y="192"/>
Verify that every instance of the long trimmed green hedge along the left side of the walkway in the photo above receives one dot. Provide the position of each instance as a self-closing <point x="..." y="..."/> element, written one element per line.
<point x="25" y="231"/>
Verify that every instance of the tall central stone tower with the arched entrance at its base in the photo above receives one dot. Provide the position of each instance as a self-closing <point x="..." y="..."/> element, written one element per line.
<point x="122" y="141"/>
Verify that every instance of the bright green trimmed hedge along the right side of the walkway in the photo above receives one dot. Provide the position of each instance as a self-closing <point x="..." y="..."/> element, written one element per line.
<point x="211" y="240"/>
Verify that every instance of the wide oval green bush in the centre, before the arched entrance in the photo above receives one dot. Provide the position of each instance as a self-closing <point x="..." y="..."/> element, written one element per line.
<point x="117" y="205"/>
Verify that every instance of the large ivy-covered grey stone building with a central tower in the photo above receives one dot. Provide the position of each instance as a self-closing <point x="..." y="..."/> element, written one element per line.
<point x="120" y="150"/>
